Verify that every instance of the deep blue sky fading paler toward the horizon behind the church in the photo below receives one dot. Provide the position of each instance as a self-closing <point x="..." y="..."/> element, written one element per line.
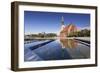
<point x="37" y="22"/>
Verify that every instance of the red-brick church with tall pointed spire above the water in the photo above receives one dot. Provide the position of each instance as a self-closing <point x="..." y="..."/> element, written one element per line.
<point x="66" y="30"/>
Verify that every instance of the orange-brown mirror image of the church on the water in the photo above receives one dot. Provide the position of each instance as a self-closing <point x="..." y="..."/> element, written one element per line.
<point x="68" y="43"/>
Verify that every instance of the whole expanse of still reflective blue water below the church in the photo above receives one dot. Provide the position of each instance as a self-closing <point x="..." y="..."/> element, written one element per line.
<point x="56" y="50"/>
